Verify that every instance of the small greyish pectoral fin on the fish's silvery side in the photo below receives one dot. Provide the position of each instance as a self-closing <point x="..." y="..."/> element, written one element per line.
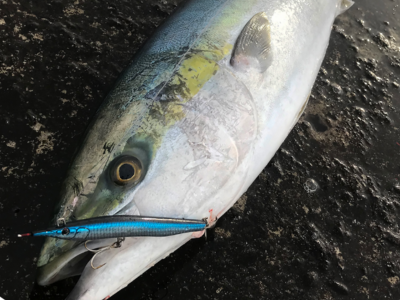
<point x="253" y="46"/>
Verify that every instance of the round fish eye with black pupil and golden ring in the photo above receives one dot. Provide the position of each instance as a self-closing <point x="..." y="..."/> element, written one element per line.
<point x="126" y="170"/>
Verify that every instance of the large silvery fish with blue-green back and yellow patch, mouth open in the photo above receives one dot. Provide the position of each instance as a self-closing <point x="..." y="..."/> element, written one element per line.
<point x="187" y="128"/>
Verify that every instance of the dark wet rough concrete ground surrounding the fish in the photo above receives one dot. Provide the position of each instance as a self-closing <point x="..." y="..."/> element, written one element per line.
<point x="320" y="222"/>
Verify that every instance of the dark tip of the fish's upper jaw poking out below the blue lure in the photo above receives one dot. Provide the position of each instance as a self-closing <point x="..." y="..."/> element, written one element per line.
<point x="68" y="264"/>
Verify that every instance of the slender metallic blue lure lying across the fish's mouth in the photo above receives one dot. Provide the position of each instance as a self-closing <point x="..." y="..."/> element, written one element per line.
<point x="120" y="226"/>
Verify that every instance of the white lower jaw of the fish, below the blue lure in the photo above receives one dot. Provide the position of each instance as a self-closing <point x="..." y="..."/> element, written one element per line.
<point x="123" y="265"/>
